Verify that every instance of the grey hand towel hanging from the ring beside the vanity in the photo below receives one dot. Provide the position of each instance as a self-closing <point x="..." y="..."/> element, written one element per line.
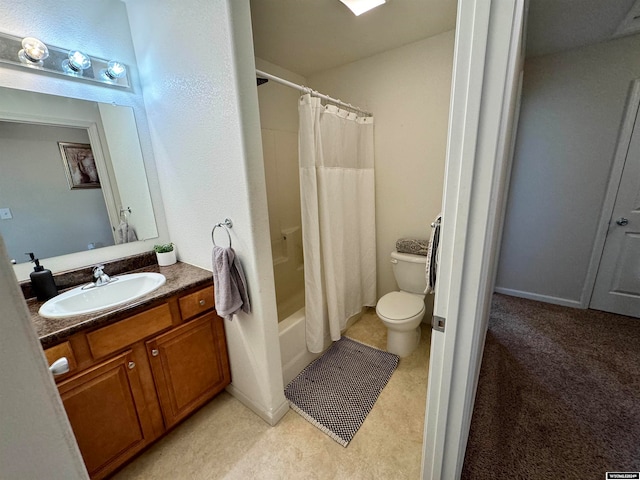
<point x="230" y="284"/>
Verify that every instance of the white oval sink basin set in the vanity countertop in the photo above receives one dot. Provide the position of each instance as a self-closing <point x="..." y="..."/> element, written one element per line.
<point x="83" y="300"/>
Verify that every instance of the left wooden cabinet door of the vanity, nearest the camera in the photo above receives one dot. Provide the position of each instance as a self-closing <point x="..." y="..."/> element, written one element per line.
<point x="102" y="406"/>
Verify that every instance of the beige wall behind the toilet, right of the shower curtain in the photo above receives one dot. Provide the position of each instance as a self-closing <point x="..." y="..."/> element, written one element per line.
<point x="408" y="91"/>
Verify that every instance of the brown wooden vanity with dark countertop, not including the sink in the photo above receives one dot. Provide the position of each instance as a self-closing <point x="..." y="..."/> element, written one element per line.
<point x="139" y="369"/>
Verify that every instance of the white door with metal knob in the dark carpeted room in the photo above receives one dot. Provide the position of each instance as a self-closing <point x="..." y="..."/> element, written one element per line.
<point x="617" y="287"/>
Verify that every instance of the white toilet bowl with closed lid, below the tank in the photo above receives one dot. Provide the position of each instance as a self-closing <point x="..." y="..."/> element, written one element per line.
<point x="402" y="313"/>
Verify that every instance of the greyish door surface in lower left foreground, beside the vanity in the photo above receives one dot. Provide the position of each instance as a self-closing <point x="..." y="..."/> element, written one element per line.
<point x="32" y="412"/>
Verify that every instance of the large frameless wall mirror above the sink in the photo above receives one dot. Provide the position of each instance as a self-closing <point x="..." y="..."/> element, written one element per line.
<point x="72" y="176"/>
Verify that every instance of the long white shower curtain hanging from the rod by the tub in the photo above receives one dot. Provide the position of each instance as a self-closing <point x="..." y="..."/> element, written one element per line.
<point x="338" y="217"/>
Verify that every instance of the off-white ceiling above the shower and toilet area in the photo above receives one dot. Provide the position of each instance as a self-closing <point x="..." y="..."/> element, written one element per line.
<point x="307" y="36"/>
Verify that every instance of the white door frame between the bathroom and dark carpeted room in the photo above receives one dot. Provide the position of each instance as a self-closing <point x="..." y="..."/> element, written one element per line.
<point x="484" y="108"/>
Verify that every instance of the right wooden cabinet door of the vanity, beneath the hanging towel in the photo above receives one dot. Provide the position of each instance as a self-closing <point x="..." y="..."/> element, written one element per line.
<point x="190" y="365"/>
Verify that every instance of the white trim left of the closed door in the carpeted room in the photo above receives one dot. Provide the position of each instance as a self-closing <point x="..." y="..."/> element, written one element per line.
<point x="615" y="177"/>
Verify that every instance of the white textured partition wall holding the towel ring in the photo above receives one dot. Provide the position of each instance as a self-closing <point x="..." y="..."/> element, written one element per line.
<point x="205" y="127"/>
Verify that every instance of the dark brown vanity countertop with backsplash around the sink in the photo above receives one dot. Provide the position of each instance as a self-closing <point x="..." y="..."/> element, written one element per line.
<point x="180" y="278"/>
